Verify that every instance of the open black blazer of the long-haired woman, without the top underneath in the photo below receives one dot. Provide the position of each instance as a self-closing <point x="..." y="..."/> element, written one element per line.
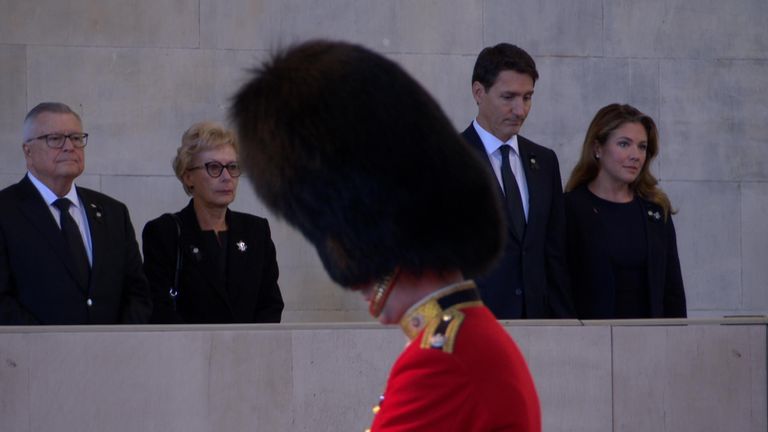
<point x="591" y="274"/>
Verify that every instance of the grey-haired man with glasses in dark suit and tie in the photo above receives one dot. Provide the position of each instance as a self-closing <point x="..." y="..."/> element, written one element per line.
<point x="68" y="255"/>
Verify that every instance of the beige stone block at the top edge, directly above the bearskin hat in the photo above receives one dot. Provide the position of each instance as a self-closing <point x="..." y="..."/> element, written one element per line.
<point x="399" y="26"/>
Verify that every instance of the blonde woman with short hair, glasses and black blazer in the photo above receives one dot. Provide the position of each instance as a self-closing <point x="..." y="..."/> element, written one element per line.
<point x="207" y="263"/>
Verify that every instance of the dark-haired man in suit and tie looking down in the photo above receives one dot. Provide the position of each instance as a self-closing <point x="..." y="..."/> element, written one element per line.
<point x="530" y="280"/>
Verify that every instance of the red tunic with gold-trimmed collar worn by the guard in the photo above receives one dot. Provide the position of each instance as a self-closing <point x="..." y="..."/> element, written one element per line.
<point x="463" y="372"/>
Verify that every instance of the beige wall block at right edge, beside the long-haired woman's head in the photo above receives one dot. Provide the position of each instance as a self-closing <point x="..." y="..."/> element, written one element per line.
<point x="713" y="120"/>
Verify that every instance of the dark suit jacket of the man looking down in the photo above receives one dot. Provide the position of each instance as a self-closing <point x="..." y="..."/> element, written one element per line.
<point x="532" y="268"/>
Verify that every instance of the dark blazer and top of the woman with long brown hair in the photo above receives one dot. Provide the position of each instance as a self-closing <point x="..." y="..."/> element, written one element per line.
<point x="622" y="258"/>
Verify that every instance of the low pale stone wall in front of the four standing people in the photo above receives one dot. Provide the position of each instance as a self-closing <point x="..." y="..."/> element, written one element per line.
<point x="658" y="376"/>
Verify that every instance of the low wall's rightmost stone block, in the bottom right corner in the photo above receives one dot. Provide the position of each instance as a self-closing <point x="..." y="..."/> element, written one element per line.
<point x="689" y="378"/>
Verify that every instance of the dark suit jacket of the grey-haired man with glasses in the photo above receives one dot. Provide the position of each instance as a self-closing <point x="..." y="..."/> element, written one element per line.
<point x="37" y="277"/>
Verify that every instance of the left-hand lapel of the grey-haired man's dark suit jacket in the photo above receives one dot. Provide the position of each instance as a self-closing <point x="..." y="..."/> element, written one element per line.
<point x="36" y="210"/>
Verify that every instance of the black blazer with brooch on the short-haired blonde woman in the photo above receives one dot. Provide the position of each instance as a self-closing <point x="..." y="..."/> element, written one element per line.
<point x="251" y="271"/>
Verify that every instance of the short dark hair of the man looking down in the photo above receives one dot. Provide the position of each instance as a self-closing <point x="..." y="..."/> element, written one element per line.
<point x="496" y="59"/>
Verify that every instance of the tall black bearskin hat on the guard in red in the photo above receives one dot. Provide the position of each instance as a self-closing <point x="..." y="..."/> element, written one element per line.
<point x="352" y="151"/>
